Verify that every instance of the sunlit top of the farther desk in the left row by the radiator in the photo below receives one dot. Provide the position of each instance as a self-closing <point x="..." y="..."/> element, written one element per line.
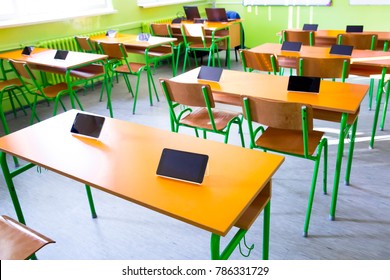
<point x="131" y="40"/>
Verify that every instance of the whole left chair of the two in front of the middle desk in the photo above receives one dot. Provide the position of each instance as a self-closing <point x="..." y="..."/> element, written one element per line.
<point x="204" y="115"/>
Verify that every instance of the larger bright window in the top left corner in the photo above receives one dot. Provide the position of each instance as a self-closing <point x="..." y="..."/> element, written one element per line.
<point x="21" y="12"/>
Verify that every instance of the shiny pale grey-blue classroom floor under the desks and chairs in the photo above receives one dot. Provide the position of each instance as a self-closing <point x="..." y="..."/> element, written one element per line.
<point x="58" y="207"/>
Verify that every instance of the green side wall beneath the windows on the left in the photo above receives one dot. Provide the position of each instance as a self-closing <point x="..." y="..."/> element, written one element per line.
<point x="128" y="18"/>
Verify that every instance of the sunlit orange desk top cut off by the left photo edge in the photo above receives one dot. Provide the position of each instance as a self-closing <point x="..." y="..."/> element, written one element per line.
<point x="45" y="57"/>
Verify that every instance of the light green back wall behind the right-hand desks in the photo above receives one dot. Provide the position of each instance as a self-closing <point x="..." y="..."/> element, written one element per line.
<point x="261" y="26"/>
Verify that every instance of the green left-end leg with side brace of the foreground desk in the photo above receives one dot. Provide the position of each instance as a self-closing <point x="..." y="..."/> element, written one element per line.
<point x="10" y="184"/>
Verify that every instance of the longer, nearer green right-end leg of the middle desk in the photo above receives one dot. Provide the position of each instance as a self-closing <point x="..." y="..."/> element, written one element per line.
<point x="339" y="158"/>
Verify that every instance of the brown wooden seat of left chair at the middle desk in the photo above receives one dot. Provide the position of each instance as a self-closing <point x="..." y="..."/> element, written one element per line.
<point x="200" y="118"/>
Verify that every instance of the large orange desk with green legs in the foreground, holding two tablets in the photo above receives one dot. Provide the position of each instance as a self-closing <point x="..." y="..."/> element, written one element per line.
<point x="123" y="163"/>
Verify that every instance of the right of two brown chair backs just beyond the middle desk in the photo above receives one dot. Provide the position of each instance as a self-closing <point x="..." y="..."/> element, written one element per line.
<point x="324" y="68"/>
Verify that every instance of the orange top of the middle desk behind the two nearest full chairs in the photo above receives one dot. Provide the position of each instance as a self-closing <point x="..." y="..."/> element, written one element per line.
<point x="333" y="96"/>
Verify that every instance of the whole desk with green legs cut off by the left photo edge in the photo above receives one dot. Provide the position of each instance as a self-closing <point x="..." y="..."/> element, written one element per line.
<point x="76" y="65"/>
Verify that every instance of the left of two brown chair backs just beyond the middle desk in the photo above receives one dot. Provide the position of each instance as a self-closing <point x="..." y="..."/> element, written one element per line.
<point x="259" y="61"/>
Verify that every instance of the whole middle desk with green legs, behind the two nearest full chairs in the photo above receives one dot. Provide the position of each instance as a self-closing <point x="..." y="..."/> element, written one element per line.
<point x="335" y="99"/>
